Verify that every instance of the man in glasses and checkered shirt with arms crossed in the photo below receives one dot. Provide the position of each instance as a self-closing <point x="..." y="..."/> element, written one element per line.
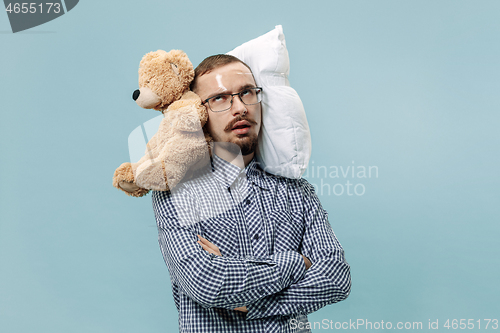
<point x="247" y="251"/>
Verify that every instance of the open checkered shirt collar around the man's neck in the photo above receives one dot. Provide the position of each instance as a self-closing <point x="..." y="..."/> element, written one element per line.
<point x="226" y="173"/>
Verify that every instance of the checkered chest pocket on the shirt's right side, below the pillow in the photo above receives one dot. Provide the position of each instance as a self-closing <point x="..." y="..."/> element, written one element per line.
<point x="289" y="230"/>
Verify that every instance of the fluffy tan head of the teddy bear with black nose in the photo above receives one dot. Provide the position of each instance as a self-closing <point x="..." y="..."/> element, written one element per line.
<point x="163" y="78"/>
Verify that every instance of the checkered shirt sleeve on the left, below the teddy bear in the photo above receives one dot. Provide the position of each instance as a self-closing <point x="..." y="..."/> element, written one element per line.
<point x="211" y="280"/>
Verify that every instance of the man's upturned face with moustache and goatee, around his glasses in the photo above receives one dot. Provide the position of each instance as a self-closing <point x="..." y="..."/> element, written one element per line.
<point x="233" y="125"/>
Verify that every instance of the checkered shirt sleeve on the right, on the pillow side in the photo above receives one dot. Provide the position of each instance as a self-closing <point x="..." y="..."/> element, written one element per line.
<point x="327" y="281"/>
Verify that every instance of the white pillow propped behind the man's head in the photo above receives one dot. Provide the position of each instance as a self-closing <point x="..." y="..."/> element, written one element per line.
<point x="284" y="140"/>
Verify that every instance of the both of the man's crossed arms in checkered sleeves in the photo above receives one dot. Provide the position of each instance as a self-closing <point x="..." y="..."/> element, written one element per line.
<point x="270" y="285"/>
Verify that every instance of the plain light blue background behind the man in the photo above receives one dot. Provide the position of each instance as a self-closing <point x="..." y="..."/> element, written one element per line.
<point x="411" y="87"/>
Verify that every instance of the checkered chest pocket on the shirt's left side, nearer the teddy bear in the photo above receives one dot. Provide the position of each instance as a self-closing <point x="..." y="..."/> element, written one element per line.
<point x="222" y="233"/>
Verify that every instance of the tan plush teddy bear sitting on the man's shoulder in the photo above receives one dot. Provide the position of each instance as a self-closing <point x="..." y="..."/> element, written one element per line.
<point x="181" y="144"/>
